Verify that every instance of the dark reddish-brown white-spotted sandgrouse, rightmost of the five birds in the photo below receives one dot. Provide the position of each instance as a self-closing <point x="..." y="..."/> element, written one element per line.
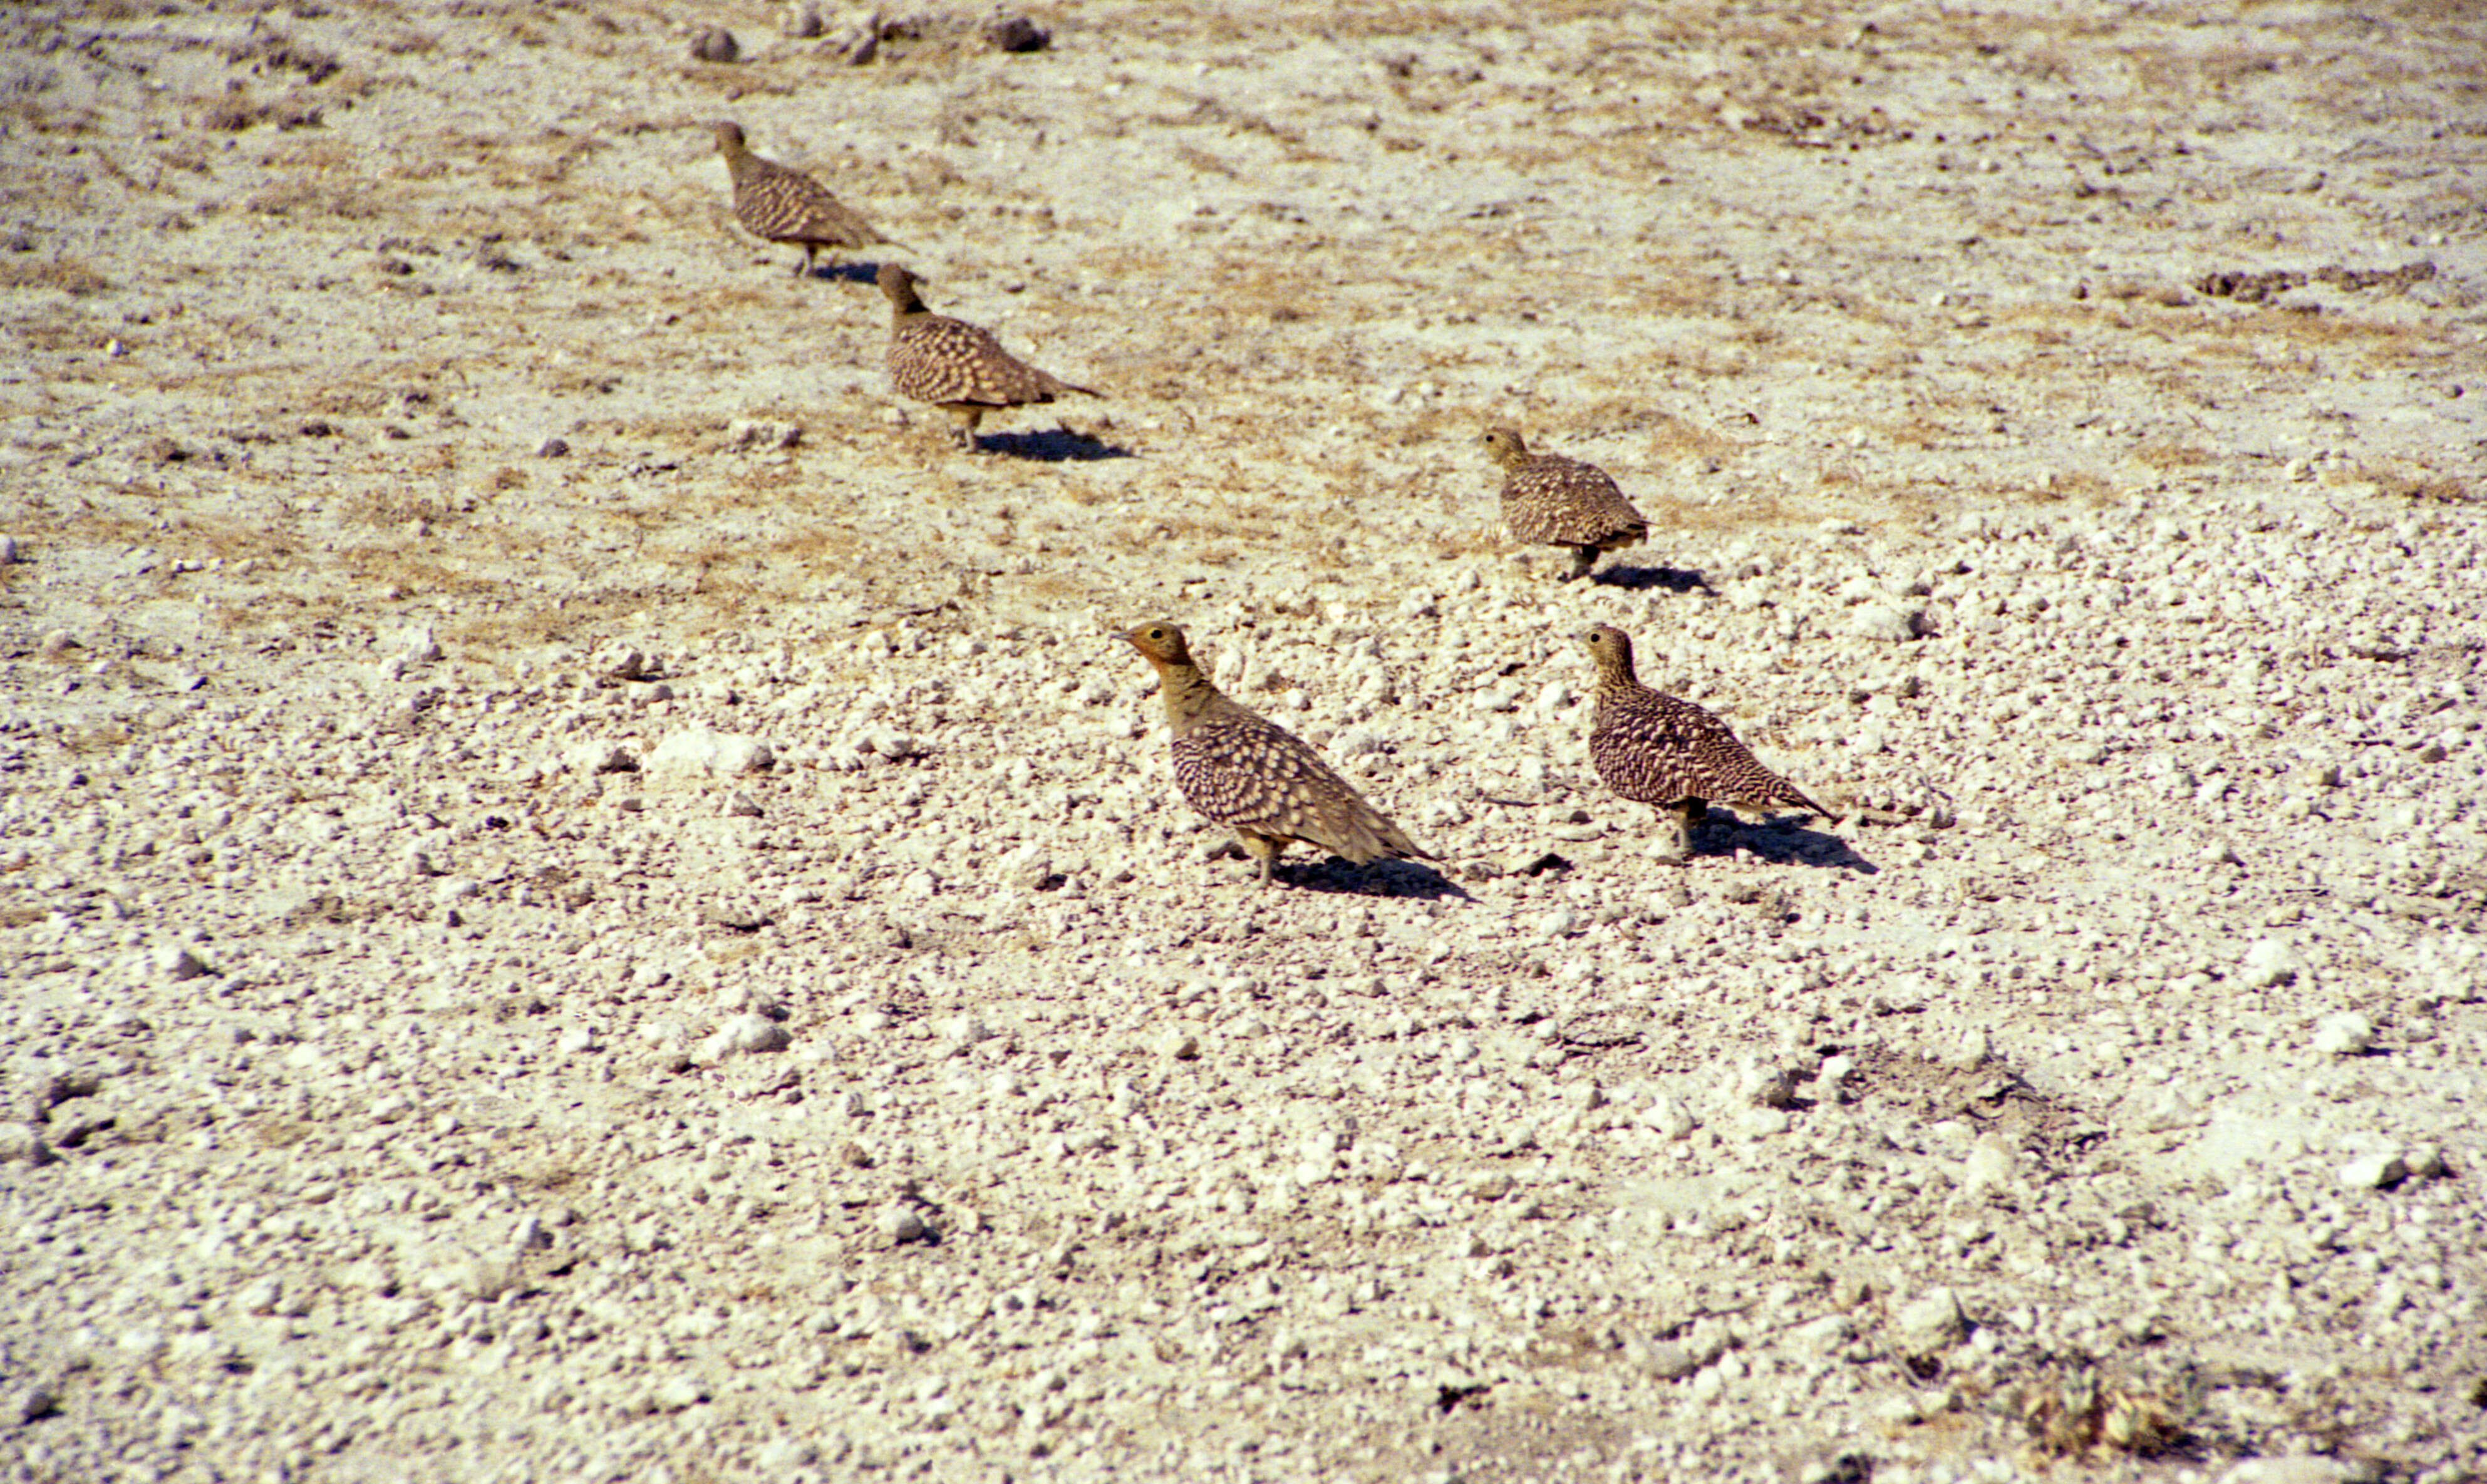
<point x="1668" y="752"/>
